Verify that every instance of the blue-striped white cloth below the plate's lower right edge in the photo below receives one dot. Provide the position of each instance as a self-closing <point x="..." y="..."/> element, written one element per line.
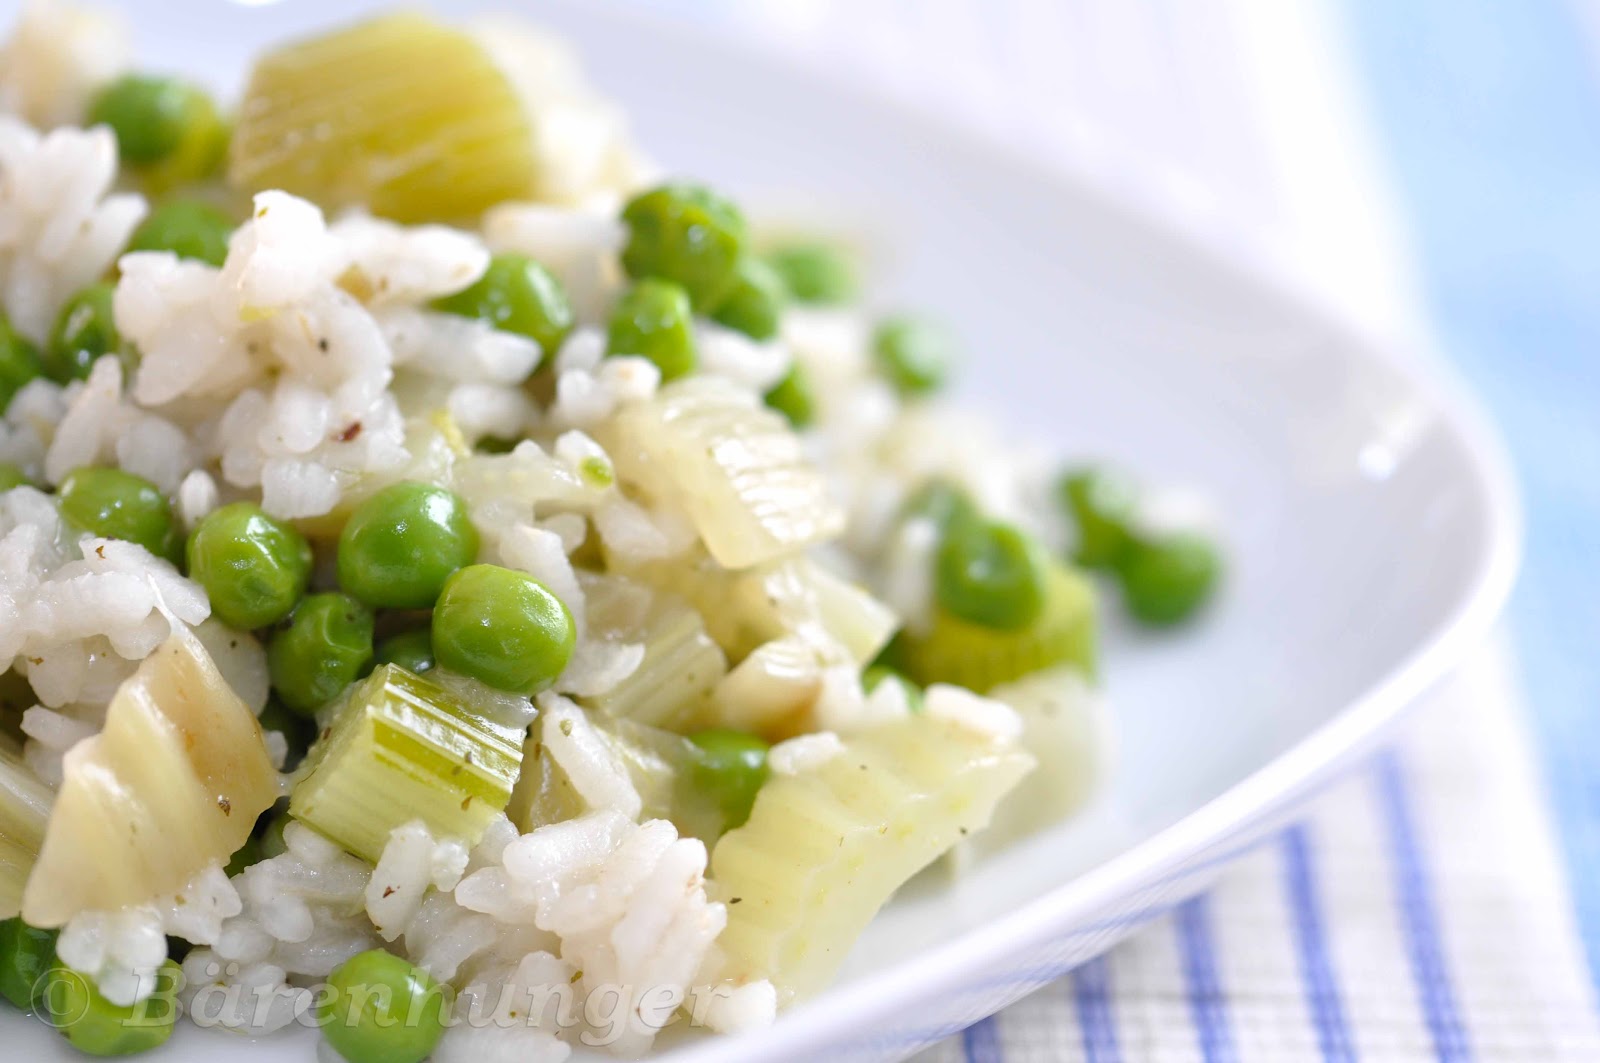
<point x="1420" y="913"/>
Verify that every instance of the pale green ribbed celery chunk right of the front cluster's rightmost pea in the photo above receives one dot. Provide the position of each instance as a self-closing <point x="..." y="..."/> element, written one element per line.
<point x="679" y="672"/>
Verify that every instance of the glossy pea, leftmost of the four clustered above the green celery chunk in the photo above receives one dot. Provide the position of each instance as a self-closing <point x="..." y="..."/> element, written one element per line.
<point x="252" y="566"/>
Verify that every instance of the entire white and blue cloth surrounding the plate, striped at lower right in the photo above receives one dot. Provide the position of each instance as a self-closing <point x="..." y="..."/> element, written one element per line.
<point x="1423" y="910"/>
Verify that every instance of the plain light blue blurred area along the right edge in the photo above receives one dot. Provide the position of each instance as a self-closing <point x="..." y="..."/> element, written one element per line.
<point x="1490" y="114"/>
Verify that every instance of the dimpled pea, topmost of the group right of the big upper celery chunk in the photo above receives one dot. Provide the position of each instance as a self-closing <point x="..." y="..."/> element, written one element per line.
<point x="687" y="235"/>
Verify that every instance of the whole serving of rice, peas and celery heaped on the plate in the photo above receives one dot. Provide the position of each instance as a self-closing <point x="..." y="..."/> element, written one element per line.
<point x="473" y="593"/>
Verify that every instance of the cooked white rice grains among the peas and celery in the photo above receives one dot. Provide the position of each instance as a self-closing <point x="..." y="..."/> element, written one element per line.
<point x="308" y="372"/>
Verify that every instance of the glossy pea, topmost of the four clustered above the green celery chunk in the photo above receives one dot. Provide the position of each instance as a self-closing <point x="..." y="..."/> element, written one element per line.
<point x="402" y="544"/>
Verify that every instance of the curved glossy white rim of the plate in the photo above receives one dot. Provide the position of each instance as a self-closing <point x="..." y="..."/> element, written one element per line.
<point x="1302" y="769"/>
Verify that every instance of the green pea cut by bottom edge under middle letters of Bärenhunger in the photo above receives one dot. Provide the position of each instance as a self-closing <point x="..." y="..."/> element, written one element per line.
<point x="382" y="1009"/>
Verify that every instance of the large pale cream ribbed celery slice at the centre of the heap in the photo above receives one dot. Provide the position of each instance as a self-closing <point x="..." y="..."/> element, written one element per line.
<point x="734" y="467"/>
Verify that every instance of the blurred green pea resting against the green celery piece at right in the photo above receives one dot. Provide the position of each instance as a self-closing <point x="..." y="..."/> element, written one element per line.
<point x="991" y="574"/>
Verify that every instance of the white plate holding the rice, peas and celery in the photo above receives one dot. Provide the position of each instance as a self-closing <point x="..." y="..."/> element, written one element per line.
<point x="1369" y="508"/>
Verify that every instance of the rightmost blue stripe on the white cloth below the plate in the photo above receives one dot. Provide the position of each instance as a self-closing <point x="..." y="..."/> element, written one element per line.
<point x="1418" y="920"/>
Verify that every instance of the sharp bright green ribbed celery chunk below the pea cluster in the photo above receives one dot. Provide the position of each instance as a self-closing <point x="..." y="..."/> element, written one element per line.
<point x="404" y="748"/>
